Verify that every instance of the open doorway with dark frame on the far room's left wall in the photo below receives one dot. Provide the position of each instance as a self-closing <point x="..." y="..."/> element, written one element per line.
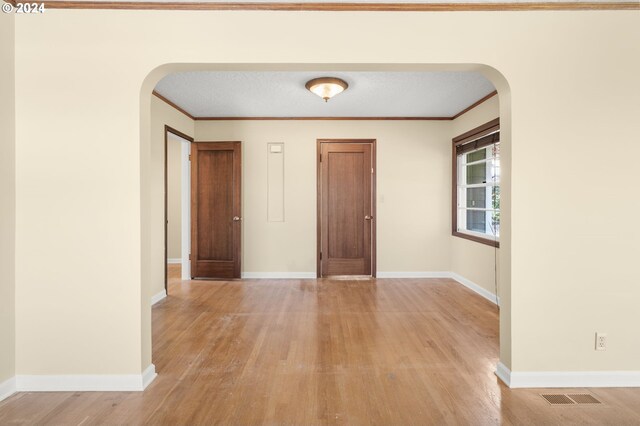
<point x="177" y="205"/>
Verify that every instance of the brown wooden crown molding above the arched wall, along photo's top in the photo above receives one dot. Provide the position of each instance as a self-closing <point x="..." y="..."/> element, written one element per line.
<point x="343" y="7"/>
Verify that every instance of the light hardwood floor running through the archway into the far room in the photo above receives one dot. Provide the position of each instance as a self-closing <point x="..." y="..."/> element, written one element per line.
<point x="306" y="352"/>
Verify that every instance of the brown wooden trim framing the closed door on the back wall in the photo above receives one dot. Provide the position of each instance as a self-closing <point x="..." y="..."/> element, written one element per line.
<point x="319" y="143"/>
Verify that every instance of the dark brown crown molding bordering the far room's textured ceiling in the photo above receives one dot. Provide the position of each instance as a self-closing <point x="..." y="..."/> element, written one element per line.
<point x="467" y="109"/>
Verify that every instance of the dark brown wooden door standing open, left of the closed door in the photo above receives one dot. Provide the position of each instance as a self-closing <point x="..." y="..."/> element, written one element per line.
<point x="215" y="209"/>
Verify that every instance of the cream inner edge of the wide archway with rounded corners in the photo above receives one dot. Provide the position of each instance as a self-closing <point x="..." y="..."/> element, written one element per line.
<point x="150" y="217"/>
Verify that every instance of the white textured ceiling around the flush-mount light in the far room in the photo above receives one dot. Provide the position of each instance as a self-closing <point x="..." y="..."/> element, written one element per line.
<point x="282" y="94"/>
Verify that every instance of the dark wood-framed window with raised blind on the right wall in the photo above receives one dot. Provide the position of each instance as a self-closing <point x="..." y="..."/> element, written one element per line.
<point x="476" y="184"/>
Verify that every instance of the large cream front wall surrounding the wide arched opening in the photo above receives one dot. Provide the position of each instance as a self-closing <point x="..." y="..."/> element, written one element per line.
<point x="569" y="105"/>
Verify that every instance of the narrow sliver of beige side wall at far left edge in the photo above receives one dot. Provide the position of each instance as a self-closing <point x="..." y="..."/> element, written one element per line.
<point x="7" y="198"/>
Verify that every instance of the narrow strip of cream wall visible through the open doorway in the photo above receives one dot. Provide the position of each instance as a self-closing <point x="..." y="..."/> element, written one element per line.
<point x="174" y="198"/>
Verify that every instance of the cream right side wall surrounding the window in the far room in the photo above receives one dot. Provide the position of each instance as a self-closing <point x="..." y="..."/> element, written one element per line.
<point x="472" y="260"/>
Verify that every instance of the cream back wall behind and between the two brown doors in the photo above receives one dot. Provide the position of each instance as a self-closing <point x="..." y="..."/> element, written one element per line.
<point x="412" y="163"/>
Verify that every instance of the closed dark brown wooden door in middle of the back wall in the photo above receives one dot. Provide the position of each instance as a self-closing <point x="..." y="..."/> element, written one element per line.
<point x="346" y="208"/>
